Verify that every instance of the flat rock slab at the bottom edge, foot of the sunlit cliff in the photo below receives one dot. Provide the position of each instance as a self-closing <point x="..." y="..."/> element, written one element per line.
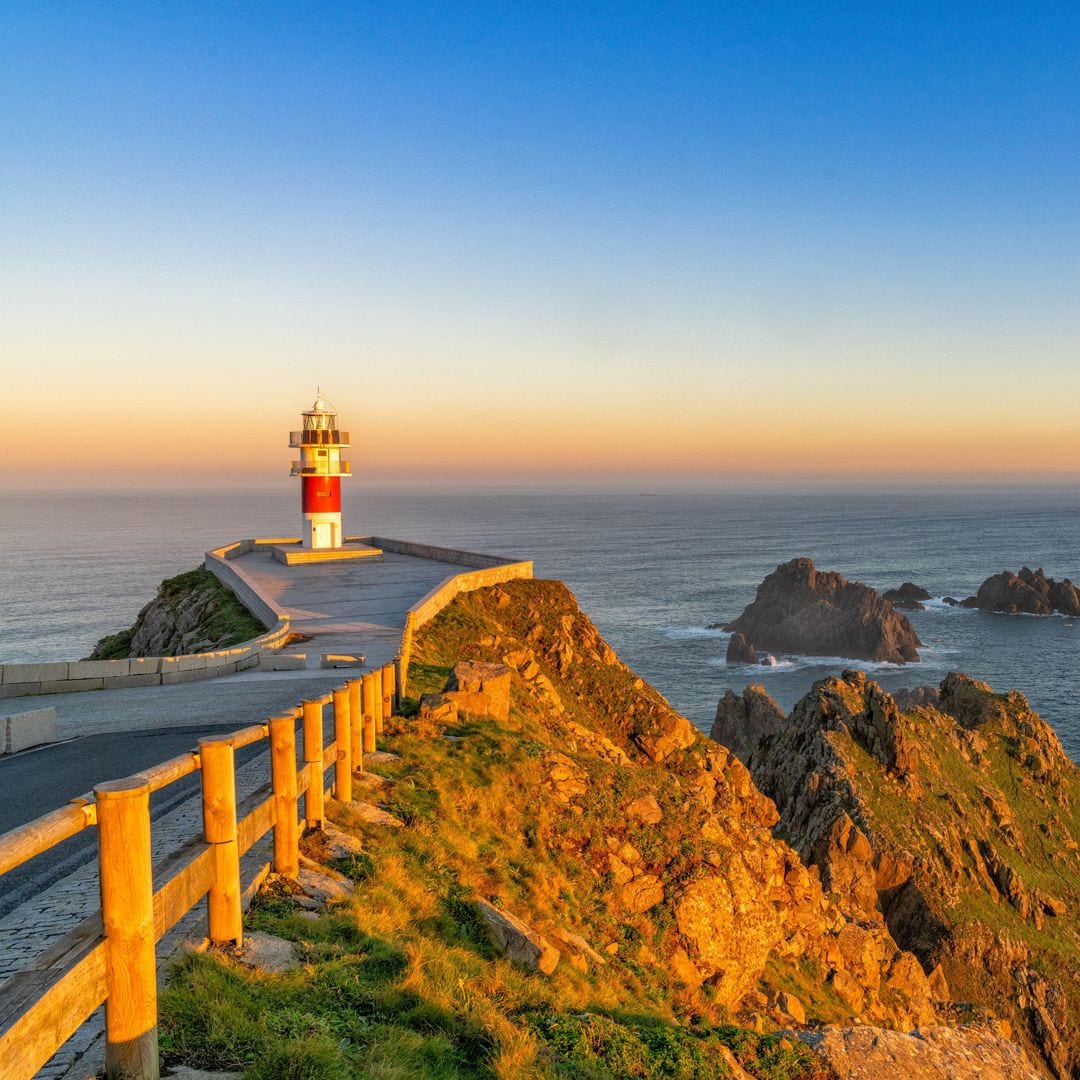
<point x="973" y="1052"/>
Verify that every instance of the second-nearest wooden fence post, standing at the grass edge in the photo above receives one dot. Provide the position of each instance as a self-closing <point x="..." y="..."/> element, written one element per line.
<point x="220" y="830"/>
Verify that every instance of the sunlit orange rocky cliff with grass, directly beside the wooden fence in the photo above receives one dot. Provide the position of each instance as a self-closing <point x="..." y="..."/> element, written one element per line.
<point x="562" y="877"/>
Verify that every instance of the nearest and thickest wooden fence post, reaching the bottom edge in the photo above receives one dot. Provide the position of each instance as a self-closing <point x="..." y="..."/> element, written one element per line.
<point x="127" y="881"/>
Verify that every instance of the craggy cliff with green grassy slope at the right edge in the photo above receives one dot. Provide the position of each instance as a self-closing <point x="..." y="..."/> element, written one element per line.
<point x="955" y="826"/>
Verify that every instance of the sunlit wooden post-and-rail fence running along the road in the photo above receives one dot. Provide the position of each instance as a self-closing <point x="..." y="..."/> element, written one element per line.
<point x="110" y="957"/>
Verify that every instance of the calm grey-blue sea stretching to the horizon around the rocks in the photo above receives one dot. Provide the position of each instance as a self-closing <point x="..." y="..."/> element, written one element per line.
<point x="653" y="572"/>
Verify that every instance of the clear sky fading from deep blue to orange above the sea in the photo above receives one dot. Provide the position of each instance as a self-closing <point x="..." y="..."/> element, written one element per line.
<point x="541" y="241"/>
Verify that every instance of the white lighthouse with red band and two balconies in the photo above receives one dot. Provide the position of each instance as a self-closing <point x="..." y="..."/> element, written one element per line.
<point x="321" y="469"/>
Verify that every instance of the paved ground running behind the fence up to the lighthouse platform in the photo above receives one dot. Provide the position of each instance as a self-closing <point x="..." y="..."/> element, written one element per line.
<point x="347" y="607"/>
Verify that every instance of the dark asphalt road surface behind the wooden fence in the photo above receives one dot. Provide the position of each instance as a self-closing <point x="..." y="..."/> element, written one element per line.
<point x="37" y="781"/>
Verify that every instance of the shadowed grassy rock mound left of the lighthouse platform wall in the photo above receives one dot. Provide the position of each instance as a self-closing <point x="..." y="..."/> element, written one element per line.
<point x="193" y="613"/>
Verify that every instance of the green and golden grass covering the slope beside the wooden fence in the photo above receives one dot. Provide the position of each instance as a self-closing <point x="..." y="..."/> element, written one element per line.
<point x="403" y="982"/>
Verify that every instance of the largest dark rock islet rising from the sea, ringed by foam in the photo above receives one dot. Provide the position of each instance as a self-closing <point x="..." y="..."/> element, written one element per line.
<point x="803" y="611"/>
